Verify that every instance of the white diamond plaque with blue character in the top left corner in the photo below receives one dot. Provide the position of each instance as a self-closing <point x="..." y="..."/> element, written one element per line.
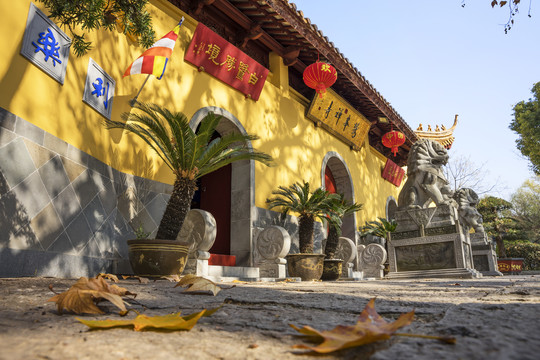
<point x="45" y="45"/>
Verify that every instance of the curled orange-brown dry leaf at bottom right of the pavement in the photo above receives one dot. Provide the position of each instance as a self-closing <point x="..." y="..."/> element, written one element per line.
<point x="370" y="327"/>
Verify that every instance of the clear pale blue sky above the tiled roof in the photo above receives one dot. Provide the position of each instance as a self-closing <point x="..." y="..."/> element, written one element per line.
<point x="434" y="59"/>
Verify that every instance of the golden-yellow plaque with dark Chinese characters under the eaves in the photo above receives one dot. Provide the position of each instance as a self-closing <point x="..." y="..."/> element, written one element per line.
<point x="338" y="117"/>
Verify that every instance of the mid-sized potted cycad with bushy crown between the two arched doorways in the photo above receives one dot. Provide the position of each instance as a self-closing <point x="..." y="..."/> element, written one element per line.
<point x="309" y="206"/>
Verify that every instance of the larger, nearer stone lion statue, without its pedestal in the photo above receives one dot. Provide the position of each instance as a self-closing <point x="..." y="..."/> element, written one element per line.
<point x="425" y="178"/>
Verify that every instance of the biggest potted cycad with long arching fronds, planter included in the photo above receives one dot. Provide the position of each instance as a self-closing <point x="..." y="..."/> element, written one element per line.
<point x="190" y="156"/>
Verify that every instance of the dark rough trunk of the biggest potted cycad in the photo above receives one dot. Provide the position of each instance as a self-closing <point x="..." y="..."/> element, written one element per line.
<point x="177" y="209"/>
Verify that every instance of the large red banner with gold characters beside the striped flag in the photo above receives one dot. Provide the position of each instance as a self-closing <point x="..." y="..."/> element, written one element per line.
<point x="221" y="59"/>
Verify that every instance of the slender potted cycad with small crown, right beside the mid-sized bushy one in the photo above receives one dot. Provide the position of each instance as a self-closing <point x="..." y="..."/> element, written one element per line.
<point x="341" y="208"/>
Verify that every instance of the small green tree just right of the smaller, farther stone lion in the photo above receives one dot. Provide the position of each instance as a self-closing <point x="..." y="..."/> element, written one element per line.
<point x="499" y="222"/>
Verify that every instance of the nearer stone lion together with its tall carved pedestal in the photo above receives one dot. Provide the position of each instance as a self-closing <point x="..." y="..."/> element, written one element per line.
<point x="430" y="241"/>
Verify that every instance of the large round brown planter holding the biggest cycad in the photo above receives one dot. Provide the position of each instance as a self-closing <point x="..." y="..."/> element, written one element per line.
<point x="155" y="257"/>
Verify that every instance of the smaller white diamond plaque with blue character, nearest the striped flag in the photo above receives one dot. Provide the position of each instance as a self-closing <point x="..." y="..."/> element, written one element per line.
<point x="99" y="89"/>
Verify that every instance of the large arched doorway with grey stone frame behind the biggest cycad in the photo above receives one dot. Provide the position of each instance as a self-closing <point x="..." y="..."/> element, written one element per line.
<point x="228" y="194"/>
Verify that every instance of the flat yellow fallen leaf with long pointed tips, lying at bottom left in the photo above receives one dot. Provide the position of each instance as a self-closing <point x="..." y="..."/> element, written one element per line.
<point x="169" y="322"/>
